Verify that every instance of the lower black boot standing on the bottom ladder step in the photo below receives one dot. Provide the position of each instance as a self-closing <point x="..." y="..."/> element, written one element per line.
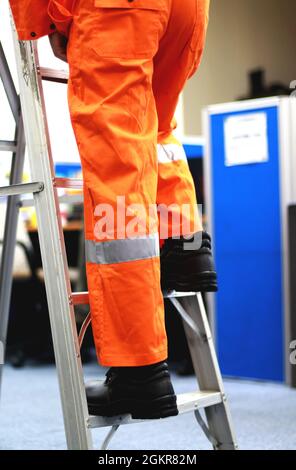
<point x="144" y="392"/>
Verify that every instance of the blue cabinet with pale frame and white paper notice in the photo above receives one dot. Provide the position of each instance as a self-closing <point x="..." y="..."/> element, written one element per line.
<point x="247" y="209"/>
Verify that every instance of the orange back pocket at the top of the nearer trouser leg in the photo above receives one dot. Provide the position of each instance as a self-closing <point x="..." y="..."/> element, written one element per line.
<point x="129" y="29"/>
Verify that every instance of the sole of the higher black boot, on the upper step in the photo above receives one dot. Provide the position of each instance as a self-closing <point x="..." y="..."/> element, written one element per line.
<point x="205" y="282"/>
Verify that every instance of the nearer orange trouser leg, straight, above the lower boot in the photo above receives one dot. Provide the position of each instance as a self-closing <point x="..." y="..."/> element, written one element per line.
<point x="111" y="48"/>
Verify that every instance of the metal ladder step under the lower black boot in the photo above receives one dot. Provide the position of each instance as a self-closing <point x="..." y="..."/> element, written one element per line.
<point x="187" y="402"/>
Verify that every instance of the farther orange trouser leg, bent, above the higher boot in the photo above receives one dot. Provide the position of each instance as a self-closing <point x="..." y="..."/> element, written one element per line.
<point x="178" y="57"/>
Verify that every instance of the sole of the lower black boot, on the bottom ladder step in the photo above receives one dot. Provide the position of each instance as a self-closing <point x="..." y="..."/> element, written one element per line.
<point x="163" y="407"/>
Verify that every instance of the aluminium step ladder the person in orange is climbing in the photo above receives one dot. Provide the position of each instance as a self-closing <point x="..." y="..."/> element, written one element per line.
<point x="61" y="300"/>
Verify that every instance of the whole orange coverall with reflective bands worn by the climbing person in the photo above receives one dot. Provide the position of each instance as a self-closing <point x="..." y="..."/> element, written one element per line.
<point x="129" y="61"/>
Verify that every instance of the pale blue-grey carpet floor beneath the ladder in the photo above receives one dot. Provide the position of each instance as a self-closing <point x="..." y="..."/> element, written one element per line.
<point x="264" y="416"/>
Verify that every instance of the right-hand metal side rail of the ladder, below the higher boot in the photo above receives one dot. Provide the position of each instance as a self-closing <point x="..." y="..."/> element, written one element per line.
<point x="208" y="373"/>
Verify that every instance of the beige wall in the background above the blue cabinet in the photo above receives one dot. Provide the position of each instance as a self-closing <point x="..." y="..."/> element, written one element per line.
<point x="243" y="34"/>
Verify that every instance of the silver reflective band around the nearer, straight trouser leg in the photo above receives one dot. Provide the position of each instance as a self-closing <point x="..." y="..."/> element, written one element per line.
<point x="122" y="251"/>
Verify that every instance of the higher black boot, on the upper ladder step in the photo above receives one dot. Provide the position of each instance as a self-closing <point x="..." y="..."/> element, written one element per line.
<point x="186" y="270"/>
